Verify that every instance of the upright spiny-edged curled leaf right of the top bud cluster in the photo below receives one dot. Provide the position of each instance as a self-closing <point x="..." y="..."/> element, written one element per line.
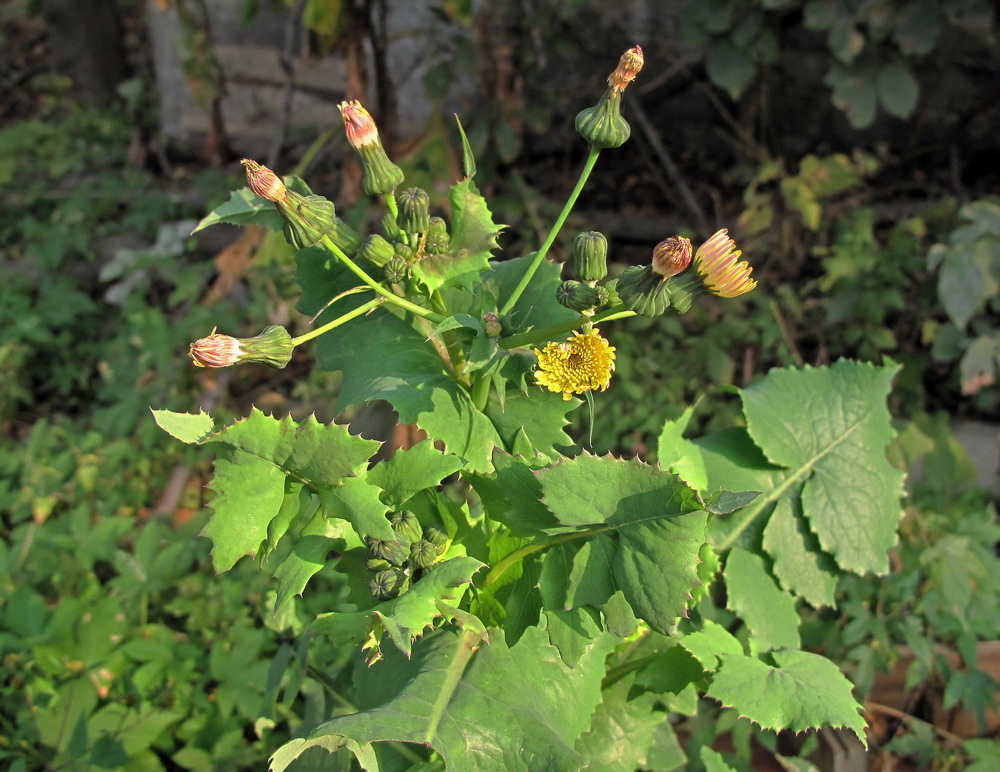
<point x="473" y="237"/>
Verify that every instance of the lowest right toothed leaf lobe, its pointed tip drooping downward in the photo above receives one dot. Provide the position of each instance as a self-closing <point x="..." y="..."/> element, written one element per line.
<point x="804" y="691"/>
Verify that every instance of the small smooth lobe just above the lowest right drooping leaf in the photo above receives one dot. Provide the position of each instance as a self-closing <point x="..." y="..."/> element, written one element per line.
<point x="768" y="612"/>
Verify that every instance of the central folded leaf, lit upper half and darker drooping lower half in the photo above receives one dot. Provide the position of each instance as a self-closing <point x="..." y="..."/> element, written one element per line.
<point x="656" y="520"/>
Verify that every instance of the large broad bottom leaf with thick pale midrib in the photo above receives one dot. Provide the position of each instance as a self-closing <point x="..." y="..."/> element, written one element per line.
<point x="447" y="689"/>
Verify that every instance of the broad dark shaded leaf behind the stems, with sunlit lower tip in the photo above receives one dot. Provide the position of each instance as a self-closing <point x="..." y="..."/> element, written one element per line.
<point x="410" y="374"/>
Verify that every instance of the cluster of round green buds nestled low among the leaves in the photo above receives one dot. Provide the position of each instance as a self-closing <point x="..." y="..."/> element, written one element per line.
<point x="399" y="562"/>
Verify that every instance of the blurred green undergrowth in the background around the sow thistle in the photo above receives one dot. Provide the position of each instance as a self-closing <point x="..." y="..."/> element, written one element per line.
<point x="120" y="650"/>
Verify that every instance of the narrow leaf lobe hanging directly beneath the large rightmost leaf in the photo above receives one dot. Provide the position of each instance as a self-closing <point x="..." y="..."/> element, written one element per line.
<point x="800" y="568"/>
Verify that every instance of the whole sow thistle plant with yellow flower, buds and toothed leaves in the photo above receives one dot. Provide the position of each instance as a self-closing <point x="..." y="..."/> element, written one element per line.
<point x="523" y="597"/>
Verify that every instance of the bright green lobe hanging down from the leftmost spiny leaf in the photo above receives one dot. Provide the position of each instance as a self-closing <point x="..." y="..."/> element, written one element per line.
<point x="249" y="493"/>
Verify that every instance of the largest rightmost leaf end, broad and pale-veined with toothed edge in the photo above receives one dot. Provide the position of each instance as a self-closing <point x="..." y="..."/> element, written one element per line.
<point x="829" y="426"/>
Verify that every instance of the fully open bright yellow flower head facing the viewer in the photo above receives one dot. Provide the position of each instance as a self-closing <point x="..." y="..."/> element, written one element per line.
<point x="582" y="363"/>
